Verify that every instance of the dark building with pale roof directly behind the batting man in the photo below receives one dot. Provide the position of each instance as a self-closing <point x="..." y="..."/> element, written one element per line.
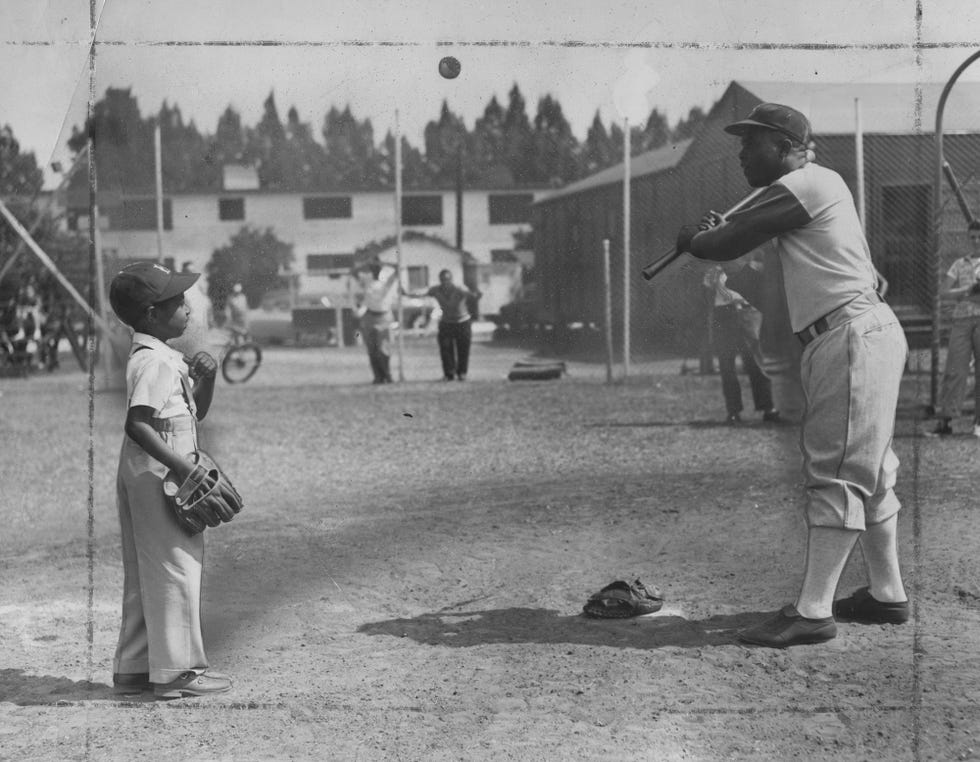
<point x="677" y="184"/>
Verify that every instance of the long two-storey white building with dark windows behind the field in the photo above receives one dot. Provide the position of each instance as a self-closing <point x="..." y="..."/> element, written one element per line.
<point x="325" y="229"/>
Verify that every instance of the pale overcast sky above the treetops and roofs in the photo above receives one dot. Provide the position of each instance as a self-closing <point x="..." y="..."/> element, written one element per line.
<point x="379" y="56"/>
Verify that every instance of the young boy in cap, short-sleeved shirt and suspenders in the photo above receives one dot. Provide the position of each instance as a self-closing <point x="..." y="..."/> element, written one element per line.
<point x="160" y="642"/>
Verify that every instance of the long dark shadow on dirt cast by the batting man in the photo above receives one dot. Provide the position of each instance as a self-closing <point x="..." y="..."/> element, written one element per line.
<point x="524" y="625"/>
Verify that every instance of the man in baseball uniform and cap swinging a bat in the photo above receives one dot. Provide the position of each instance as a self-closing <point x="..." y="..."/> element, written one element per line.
<point x="854" y="352"/>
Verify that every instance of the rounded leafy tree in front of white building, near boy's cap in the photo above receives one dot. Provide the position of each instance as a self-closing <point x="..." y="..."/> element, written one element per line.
<point x="254" y="258"/>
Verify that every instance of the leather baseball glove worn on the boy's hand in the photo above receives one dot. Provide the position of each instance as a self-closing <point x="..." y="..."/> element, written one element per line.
<point x="205" y="499"/>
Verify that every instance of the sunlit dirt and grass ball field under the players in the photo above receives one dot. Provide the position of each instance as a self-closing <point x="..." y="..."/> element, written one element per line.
<point x="407" y="578"/>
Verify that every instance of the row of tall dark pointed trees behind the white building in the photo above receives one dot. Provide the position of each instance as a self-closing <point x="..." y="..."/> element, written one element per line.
<point x="505" y="148"/>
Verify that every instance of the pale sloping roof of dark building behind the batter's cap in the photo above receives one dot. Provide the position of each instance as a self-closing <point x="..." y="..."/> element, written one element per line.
<point x="886" y="107"/>
